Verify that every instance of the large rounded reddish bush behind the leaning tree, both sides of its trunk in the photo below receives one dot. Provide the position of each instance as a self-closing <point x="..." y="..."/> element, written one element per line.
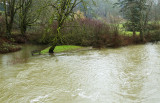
<point x="83" y="32"/>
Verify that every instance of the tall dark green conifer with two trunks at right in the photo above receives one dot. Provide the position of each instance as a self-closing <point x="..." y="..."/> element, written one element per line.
<point x="137" y="14"/>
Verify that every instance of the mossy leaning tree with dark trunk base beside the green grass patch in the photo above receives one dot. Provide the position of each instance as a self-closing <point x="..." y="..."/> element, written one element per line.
<point x="63" y="9"/>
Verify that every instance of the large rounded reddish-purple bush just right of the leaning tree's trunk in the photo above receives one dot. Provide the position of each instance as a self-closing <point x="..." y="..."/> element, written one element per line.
<point x="89" y="32"/>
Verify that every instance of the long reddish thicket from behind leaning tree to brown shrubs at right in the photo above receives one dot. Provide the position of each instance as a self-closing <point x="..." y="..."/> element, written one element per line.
<point x="86" y="32"/>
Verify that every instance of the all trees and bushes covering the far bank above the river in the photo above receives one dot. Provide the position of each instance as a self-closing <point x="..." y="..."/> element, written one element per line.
<point x="79" y="22"/>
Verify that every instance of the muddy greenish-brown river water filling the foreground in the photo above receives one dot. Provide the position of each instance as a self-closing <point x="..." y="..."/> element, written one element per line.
<point x="124" y="75"/>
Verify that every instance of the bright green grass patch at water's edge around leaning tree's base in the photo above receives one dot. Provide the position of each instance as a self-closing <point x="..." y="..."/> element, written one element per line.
<point x="62" y="48"/>
